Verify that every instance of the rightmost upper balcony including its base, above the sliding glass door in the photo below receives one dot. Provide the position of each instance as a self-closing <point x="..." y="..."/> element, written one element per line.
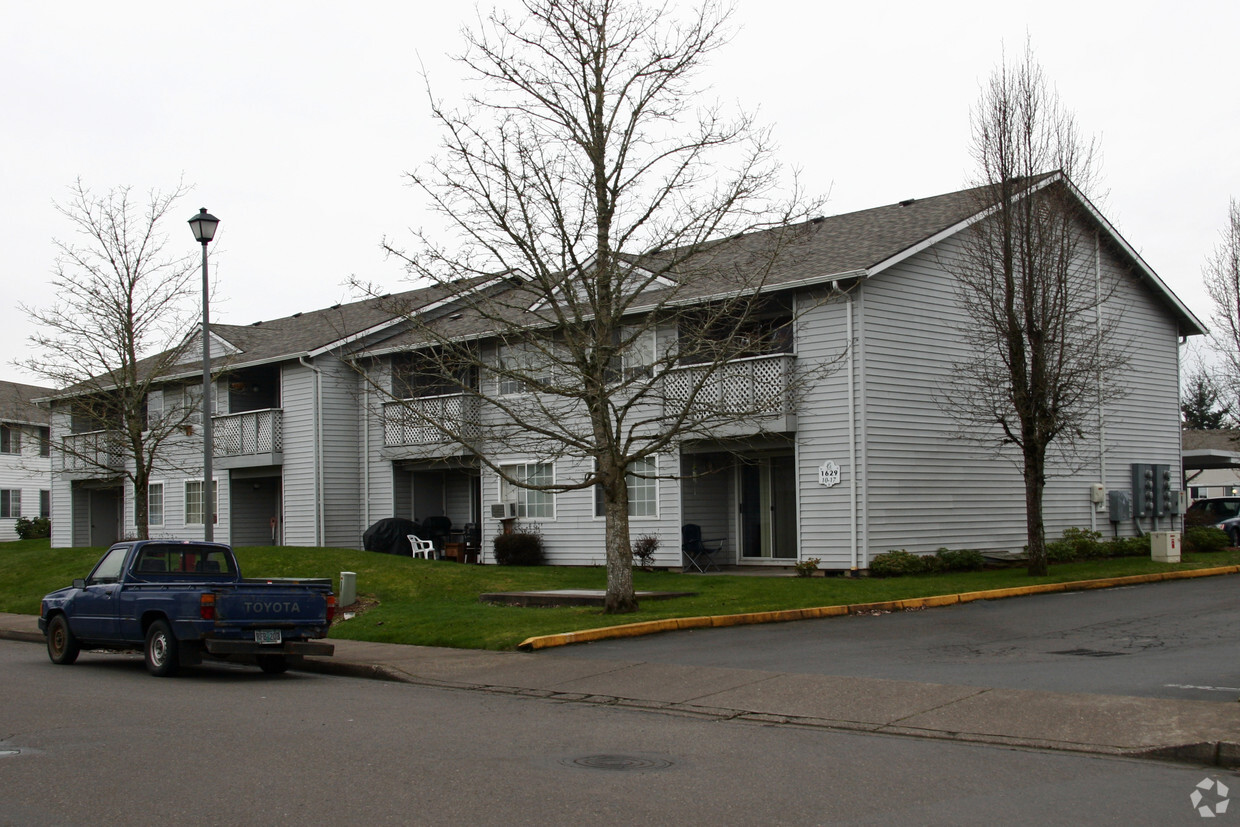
<point x="747" y="396"/>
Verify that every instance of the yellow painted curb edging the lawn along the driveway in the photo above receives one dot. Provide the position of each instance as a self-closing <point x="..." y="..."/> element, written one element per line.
<point x="674" y="624"/>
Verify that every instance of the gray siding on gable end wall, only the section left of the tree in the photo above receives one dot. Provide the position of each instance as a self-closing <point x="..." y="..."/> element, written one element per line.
<point x="926" y="489"/>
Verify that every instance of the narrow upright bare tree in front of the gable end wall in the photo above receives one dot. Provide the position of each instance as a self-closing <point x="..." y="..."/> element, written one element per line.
<point x="1042" y="348"/>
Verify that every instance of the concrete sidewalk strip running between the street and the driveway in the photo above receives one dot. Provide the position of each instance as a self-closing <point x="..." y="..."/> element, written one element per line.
<point x="1193" y="731"/>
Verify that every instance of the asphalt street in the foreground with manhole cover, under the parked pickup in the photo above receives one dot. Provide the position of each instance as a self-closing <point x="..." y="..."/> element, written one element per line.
<point x="104" y="743"/>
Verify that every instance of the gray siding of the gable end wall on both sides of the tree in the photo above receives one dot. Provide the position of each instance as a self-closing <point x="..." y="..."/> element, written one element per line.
<point x="928" y="489"/>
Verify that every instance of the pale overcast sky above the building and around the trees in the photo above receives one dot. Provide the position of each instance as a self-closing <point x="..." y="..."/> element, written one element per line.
<point x="296" y="122"/>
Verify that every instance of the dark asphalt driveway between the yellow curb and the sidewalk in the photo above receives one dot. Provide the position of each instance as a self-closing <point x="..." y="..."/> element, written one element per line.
<point x="1167" y="640"/>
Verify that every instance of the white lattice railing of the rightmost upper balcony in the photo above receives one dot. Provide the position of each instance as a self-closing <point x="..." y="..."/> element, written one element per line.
<point x="750" y="387"/>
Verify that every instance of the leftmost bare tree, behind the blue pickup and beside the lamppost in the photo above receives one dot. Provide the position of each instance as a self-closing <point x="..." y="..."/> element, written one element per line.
<point x="123" y="307"/>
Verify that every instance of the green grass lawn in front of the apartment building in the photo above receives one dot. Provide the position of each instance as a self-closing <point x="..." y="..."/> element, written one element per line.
<point x="435" y="603"/>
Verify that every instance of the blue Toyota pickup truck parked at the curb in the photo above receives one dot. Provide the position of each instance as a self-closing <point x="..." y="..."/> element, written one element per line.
<point x="182" y="601"/>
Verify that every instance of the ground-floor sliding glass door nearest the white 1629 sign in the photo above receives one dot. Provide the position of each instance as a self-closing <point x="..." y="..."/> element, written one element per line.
<point x="768" y="509"/>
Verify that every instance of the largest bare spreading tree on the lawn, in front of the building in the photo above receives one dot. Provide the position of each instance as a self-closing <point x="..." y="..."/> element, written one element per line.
<point x="586" y="172"/>
